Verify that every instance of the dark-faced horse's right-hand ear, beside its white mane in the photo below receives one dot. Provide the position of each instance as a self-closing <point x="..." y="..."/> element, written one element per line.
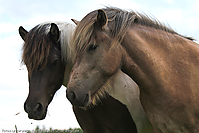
<point x="54" y="32"/>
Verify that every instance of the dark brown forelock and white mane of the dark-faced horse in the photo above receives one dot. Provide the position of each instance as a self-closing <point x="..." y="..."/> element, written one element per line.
<point x="37" y="45"/>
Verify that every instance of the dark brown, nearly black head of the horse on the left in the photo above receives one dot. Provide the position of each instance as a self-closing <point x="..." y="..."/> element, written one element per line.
<point x="42" y="57"/>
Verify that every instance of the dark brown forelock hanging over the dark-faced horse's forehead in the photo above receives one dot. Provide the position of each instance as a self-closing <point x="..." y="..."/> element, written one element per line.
<point x="36" y="48"/>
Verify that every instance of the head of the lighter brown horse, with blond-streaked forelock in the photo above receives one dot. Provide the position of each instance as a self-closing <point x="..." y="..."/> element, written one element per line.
<point x="95" y="54"/>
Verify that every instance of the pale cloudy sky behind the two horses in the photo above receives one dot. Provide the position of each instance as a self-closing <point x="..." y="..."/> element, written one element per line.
<point x="181" y="15"/>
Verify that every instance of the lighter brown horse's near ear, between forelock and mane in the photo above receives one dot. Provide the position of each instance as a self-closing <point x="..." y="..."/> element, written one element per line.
<point x="102" y="18"/>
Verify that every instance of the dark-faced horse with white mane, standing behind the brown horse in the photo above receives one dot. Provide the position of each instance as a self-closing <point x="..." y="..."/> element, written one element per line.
<point x="49" y="57"/>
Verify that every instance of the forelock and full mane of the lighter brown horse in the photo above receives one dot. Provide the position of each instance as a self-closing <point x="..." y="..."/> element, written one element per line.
<point x="119" y="20"/>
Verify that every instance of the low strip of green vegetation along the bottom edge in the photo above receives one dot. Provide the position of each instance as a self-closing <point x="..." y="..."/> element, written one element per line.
<point x="44" y="130"/>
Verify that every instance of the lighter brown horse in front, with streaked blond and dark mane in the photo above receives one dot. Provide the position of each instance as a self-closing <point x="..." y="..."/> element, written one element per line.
<point x="163" y="63"/>
